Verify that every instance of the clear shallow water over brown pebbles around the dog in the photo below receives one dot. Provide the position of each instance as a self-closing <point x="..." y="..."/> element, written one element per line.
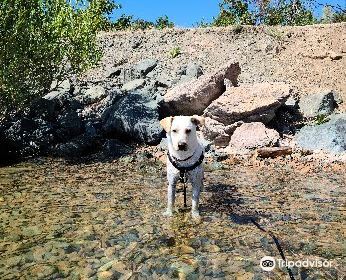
<point x="103" y="221"/>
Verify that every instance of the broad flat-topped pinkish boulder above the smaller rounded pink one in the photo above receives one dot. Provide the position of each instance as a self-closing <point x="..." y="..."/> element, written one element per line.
<point x="249" y="103"/>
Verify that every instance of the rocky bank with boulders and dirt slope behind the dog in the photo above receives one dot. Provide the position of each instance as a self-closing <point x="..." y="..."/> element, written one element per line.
<point x="119" y="104"/>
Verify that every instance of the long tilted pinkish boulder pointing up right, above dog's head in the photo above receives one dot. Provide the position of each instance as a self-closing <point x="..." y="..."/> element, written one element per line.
<point x="193" y="96"/>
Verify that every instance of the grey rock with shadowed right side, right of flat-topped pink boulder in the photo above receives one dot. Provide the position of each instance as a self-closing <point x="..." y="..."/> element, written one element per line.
<point x="321" y="103"/>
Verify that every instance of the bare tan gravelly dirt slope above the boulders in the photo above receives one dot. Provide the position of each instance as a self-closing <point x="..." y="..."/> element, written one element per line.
<point x="308" y="57"/>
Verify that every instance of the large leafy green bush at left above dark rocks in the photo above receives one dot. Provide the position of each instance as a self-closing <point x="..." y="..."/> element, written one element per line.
<point x="46" y="40"/>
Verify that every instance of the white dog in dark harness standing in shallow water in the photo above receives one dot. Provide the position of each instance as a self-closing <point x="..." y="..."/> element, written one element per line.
<point x="185" y="155"/>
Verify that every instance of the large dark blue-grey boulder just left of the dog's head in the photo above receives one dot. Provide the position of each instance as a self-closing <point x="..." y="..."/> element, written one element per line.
<point x="134" y="117"/>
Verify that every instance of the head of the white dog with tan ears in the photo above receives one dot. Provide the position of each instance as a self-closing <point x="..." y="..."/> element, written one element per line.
<point x="181" y="131"/>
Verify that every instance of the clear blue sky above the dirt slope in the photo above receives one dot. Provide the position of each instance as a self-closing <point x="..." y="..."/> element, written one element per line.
<point x="184" y="13"/>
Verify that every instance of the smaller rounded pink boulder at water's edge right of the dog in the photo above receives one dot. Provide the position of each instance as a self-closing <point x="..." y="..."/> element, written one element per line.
<point x="254" y="135"/>
